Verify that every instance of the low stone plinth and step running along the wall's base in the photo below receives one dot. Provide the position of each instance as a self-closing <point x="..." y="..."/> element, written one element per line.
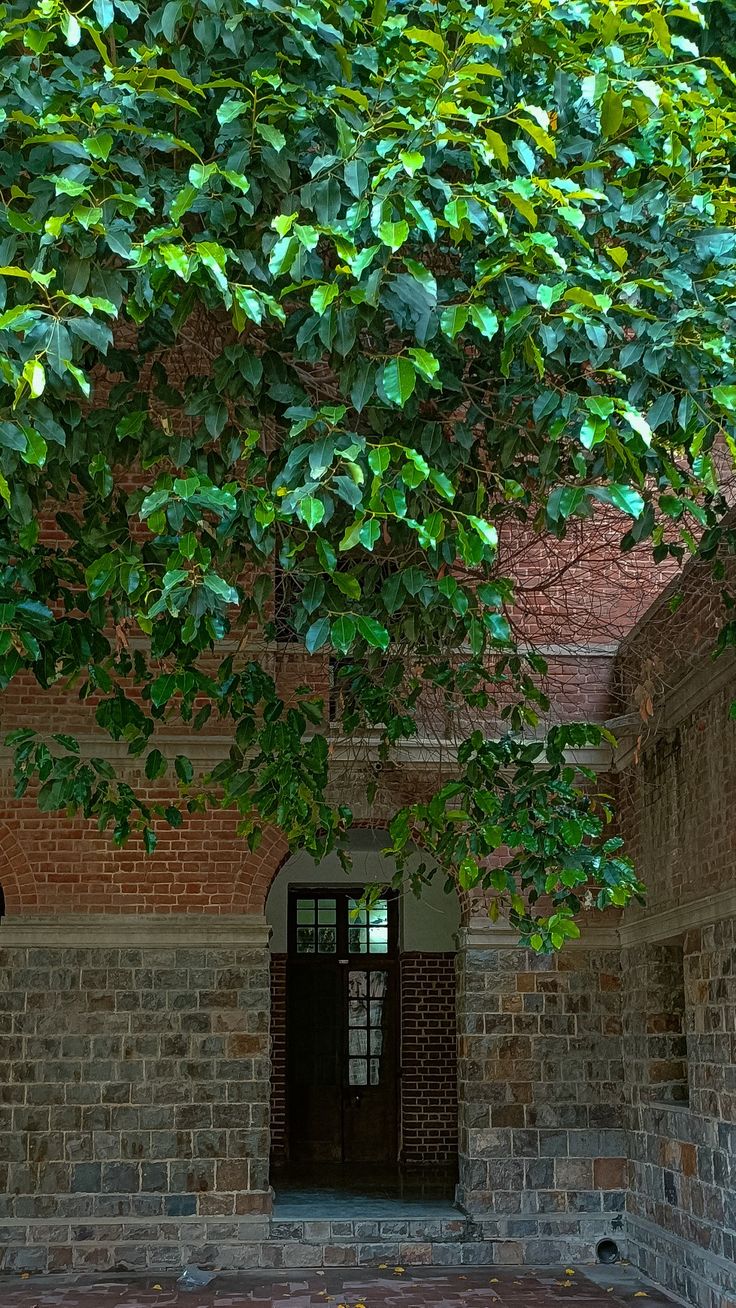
<point x="232" y="1246"/>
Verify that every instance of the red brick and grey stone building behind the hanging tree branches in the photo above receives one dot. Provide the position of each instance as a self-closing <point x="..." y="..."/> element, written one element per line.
<point x="194" y="1037"/>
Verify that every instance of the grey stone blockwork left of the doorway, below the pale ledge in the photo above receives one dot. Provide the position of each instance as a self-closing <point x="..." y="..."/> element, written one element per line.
<point x="134" y="1082"/>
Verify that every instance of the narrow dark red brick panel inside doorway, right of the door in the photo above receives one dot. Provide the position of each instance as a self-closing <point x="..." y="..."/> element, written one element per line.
<point x="429" y="1060"/>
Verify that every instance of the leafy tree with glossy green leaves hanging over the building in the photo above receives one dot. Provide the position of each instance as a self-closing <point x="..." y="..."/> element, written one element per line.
<point x="473" y="273"/>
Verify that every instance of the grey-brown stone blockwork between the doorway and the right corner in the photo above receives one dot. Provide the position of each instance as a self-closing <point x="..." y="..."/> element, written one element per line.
<point x="541" y="1080"/>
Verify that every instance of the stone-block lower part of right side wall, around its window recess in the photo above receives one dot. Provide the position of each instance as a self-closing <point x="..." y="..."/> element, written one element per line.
<point x="683" y="1197"/>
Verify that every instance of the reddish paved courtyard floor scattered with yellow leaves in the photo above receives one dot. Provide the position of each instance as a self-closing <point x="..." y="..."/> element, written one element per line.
<point x="619" y="1286"/>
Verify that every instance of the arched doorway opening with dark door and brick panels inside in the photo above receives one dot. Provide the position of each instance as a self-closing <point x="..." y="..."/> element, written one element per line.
<point x="364" y="1035"/>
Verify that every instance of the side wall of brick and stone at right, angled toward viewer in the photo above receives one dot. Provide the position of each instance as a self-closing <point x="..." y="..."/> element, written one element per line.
<point x="679" y="959"/>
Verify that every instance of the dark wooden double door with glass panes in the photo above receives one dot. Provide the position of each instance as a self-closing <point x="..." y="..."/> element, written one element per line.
<point x="342" y="1029"/>
